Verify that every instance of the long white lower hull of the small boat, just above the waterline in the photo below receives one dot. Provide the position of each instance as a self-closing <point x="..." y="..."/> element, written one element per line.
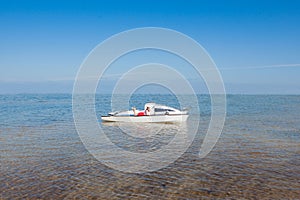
<point x="146" y="119"/>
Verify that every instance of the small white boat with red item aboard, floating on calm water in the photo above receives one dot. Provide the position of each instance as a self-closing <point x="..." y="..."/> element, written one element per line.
<point x="158" y="113"/>
